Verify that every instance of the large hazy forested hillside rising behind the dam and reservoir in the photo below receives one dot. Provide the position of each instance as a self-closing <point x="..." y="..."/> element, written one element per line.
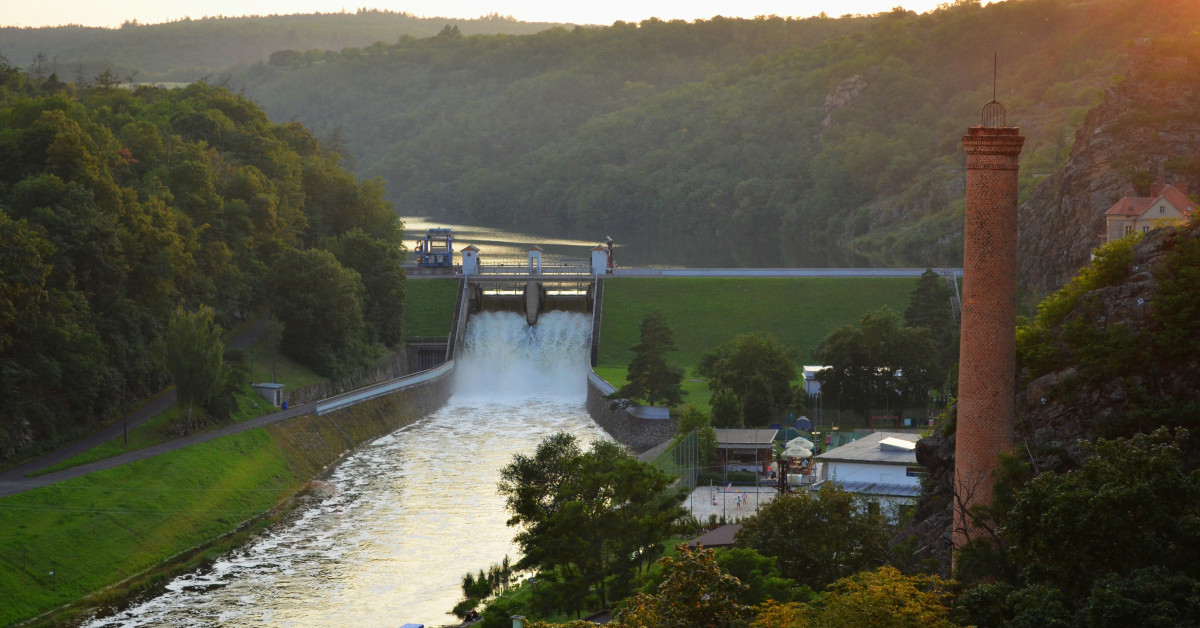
<point x="721" y="142"/>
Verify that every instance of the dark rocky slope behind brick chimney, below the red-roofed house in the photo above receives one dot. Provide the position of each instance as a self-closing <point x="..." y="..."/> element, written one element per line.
<point x="1112" y="356"/>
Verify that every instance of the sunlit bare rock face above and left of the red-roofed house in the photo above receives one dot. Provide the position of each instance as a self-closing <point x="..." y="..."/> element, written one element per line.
<point x="1142" y="124"/>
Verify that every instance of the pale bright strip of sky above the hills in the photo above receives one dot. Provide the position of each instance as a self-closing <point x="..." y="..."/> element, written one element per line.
<point x="113" y="14"/>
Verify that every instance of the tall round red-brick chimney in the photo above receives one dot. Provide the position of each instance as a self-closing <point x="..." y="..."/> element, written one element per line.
<point x="988" y="350"/>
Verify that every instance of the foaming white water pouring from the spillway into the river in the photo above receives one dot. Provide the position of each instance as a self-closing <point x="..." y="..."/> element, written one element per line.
<point x="404" y="518"/>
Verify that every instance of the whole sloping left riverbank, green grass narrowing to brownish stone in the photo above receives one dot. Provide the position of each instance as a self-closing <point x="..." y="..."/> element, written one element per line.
<point x="122" y="530"/>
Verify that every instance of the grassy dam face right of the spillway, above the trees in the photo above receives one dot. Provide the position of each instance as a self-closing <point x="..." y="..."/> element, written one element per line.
<point x="706" y="313"/>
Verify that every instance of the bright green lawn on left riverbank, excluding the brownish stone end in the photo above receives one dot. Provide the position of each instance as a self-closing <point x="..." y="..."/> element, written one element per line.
<point x="63" y="542"/>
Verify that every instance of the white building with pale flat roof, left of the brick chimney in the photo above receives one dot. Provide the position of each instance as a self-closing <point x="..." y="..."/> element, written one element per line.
<point x="881" y="466"/>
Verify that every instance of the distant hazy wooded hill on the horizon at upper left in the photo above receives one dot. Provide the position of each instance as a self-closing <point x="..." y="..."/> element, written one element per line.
<point x="191" y="50"/>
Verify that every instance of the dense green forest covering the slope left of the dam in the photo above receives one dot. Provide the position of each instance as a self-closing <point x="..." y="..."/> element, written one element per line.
<point x="118" y="208"/>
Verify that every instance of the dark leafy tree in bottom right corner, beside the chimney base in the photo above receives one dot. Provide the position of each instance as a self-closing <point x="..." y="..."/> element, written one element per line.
<point x="1111" y="542"/>
